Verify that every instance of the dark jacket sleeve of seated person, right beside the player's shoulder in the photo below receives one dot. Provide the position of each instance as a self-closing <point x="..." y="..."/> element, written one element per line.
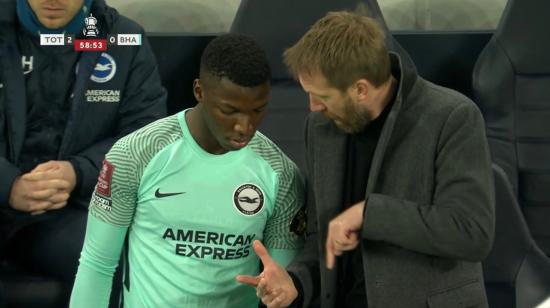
<point x="143" y="101"/>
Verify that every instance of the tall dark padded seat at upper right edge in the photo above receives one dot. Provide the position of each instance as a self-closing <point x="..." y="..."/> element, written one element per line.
<point x="511" y="85"/>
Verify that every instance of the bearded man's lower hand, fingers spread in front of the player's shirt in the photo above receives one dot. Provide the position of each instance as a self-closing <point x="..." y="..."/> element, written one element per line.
<point x="274" y="285"/>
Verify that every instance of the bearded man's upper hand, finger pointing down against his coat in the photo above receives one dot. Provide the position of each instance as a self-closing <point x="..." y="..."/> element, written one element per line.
<point x="343" y="232"/>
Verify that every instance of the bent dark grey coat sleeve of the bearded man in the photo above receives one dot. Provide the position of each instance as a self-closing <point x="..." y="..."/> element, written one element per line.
<point x="460" y="222"/>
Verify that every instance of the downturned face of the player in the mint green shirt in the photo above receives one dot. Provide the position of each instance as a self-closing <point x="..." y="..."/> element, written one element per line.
<point x="232" y="113"/>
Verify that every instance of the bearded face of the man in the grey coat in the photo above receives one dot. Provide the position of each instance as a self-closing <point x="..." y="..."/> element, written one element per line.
<point x="338" y="106"/>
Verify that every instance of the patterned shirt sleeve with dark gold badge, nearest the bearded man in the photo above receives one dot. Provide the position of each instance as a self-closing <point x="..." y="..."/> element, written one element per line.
<point x="283" y="234"/>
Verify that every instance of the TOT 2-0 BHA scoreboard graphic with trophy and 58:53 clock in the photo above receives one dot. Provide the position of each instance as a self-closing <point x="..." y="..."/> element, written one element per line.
<point x="91" y="41"/>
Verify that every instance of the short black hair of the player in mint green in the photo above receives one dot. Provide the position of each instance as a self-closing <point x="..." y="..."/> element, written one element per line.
<point x="238" y="58"/>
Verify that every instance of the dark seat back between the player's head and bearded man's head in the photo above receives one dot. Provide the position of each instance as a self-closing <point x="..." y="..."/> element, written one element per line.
<point x="276" y="25"/>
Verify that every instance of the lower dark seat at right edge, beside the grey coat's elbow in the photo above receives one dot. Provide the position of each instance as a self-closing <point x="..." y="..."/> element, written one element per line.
<point x="517" y="272"/>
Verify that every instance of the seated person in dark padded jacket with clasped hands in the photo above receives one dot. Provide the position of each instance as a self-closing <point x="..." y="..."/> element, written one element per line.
<point x="60" y="112"/>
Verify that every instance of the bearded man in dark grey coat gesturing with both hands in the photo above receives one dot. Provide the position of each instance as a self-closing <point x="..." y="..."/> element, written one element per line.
<point x="402" y="210"/>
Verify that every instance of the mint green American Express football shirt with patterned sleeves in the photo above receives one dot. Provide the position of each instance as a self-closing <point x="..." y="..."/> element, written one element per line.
<point x="190" y="218"/>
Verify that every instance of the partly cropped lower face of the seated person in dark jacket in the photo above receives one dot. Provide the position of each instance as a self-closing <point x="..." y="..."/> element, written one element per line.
<point x="54" y="14"/>
